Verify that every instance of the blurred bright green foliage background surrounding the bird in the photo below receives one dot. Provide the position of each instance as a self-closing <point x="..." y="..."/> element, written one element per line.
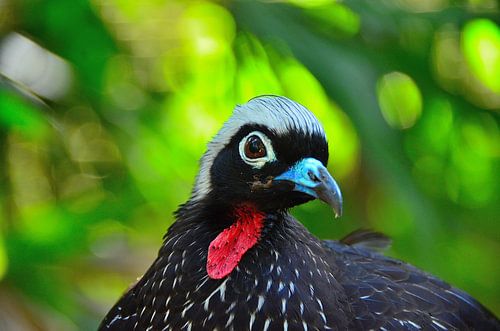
<point x="101" y="130"/>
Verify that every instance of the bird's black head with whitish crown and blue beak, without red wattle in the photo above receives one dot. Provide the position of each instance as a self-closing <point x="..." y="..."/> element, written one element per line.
<point x="271" y="153"/>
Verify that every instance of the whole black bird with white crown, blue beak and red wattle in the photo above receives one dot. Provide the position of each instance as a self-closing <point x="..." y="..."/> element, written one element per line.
<point x="235" y="258"/>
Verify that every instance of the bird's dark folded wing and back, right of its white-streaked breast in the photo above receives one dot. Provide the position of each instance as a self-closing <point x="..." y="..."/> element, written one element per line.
<point x="387" y="293"/>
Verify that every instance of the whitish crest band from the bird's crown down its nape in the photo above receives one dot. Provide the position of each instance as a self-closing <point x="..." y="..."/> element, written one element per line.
<point x="278" y="114"/>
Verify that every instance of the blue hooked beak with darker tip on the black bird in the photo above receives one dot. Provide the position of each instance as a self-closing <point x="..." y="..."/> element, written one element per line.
<point x="312" y="178"/>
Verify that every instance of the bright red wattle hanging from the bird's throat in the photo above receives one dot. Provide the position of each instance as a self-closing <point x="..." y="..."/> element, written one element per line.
<point x="227" y="249"/>
